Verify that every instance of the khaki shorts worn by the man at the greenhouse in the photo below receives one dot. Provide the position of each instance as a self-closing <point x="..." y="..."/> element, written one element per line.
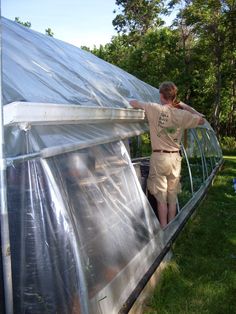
<point x="164" y="176"/>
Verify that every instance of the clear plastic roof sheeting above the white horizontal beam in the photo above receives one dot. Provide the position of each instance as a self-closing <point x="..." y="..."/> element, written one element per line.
<point x="44" y="69"/>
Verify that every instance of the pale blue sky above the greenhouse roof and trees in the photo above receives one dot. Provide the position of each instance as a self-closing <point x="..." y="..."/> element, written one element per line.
<point x="78" y="22"/>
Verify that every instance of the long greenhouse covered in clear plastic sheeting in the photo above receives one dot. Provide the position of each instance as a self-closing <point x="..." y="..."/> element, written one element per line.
<point x="83" y="229"/>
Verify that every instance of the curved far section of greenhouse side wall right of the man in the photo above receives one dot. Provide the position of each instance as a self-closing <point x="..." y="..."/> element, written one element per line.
<point x="202" y="154"/>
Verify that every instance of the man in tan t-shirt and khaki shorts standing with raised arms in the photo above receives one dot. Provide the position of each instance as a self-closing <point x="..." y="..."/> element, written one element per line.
<point x="166" y="123"/>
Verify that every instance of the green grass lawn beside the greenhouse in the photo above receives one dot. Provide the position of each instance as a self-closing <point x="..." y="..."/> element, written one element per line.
<point x="201" y="277"/>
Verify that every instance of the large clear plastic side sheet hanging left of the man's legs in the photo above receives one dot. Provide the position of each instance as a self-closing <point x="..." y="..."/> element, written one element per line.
<point x="77" y="221"/>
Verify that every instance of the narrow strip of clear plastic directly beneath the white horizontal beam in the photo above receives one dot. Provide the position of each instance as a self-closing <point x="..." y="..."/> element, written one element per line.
<point x="48" y="140"/>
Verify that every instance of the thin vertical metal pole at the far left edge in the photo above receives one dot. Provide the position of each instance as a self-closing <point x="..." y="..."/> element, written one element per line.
<point x="5" y="237"/>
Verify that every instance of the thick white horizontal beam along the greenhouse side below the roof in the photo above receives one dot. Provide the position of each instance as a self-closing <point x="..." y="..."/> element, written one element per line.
<point x="49" y="113"/>
